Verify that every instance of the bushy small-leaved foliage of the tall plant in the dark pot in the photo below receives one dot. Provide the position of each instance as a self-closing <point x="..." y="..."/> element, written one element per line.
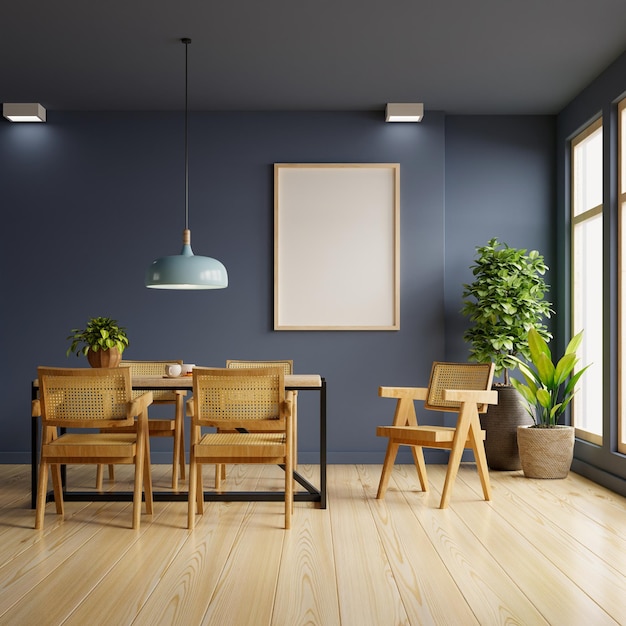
<point x="505" y="300"/>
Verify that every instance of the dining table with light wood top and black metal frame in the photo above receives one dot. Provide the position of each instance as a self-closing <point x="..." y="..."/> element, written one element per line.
<point x="293" y="382"/>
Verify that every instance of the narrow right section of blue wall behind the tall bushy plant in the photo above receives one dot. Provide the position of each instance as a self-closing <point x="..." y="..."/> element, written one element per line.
<point x="499" y="183"/>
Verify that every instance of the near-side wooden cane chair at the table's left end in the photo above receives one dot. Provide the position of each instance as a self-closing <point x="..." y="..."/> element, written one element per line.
<point x="92" y="398"/>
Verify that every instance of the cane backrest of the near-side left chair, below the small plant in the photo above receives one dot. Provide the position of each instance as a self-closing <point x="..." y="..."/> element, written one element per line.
<point x="85" y="397"/>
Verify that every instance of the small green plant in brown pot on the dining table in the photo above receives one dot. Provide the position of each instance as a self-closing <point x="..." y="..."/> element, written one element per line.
<point x="102" y="341"/>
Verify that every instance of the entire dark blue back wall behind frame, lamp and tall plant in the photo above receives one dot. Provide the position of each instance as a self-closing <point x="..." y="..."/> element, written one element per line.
<point x="89" y="199"/>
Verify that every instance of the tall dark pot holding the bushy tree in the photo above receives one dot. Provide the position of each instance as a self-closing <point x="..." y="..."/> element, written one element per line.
<point x="500" y="424"/>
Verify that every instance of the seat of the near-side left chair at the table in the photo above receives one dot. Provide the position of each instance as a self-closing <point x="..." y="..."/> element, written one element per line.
<point x="98" y="445"/>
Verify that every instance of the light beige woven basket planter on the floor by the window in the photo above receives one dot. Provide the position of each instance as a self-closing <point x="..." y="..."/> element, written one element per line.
<point x="546" y="452"/>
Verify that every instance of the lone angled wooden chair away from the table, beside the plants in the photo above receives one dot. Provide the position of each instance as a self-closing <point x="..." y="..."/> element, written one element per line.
<point x="463" y="388"/>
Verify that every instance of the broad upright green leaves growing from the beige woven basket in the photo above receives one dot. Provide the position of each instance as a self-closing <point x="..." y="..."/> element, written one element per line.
<point x="549" y="387"/>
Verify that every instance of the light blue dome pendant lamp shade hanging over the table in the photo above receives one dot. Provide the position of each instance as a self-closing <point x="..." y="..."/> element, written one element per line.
<point x="186" y="271"/>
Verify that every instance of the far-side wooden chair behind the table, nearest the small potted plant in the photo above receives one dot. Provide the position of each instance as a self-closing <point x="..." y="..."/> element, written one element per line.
<point x="160" y="427"/>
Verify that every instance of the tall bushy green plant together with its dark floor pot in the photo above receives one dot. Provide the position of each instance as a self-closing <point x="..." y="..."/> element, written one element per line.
<point x="503" y="302"/>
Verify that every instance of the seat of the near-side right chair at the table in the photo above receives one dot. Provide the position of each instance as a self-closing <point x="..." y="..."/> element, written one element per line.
<point x="230" y="446"/>
